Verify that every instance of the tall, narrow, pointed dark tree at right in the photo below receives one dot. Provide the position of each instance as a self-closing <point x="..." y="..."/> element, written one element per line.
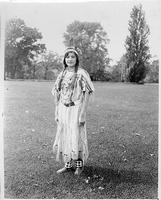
<point x="137" y="49"/>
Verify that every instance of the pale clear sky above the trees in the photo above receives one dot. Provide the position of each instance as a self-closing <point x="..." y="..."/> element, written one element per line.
<point x="51" y="19"/>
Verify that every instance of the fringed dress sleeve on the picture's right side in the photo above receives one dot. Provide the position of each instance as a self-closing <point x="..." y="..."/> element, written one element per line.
<point x="87" y="85"/>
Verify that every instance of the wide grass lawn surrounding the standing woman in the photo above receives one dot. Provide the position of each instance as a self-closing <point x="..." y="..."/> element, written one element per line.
<point x="122" y="126"/>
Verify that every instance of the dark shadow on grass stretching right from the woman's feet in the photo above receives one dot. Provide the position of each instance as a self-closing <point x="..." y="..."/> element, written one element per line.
<point x="123" y="176"/>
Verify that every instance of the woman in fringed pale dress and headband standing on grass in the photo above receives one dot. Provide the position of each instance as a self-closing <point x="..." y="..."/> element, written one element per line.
<point x="71" y="90"/>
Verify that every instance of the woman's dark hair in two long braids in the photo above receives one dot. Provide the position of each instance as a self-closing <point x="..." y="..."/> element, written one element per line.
<point x="65" y="66"/>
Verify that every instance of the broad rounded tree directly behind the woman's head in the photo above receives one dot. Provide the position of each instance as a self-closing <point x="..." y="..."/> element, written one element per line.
<point x="91" y="40"/>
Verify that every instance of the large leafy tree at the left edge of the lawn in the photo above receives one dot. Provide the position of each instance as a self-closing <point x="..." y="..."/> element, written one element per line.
<point x="21" y="45"/>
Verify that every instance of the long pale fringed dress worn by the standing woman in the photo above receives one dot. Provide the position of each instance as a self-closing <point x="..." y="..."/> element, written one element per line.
<point x="71" y="139"/>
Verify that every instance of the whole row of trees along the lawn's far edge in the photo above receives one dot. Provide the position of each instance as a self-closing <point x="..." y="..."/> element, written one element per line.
<point x="27" y="58"/>
